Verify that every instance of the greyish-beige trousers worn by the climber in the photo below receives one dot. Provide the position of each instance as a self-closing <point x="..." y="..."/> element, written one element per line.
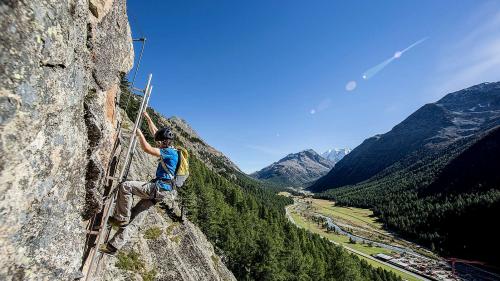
<point x="149" y="194"/>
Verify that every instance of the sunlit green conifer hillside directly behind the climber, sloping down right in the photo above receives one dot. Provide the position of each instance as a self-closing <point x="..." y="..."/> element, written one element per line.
<point x="247" y="225"/>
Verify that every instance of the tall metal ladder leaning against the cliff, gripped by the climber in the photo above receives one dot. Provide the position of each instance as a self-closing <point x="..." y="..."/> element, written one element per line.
<point x="98" y="231"/>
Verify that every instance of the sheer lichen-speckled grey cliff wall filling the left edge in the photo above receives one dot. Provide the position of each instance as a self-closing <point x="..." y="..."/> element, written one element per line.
<point x="60" y="68"/>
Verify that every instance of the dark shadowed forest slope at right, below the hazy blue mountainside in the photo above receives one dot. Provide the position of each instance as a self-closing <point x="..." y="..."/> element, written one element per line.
<point x="447" y="201"/>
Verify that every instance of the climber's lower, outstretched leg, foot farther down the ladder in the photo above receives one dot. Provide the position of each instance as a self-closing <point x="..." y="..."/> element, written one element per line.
<point x="139" y="212"/>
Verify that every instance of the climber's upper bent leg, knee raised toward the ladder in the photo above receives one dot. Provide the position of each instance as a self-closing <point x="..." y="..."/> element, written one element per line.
<point x="124" y="198"/>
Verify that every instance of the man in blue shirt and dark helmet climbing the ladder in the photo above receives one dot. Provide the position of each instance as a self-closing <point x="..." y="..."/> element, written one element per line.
<point x="128" y="218"/>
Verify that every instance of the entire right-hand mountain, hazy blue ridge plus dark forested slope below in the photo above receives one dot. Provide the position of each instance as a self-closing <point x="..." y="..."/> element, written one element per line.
<point x="434" y="177"/>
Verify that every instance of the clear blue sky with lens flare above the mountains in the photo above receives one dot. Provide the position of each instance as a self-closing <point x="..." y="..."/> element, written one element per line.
<point x="248" y="75"/>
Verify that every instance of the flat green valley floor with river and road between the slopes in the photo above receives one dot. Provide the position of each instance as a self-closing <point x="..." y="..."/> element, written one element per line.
<point x="358" y="231"/>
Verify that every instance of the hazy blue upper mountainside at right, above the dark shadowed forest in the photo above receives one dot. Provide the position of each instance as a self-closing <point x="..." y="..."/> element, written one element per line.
<point x="456" y="117"/>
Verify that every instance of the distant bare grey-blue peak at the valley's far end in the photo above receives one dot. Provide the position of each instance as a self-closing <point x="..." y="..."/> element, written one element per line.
<point x="296" y="169"/>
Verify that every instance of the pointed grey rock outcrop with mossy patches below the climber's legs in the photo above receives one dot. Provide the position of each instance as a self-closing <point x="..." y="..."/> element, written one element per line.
<point x="165" y="250"/>
